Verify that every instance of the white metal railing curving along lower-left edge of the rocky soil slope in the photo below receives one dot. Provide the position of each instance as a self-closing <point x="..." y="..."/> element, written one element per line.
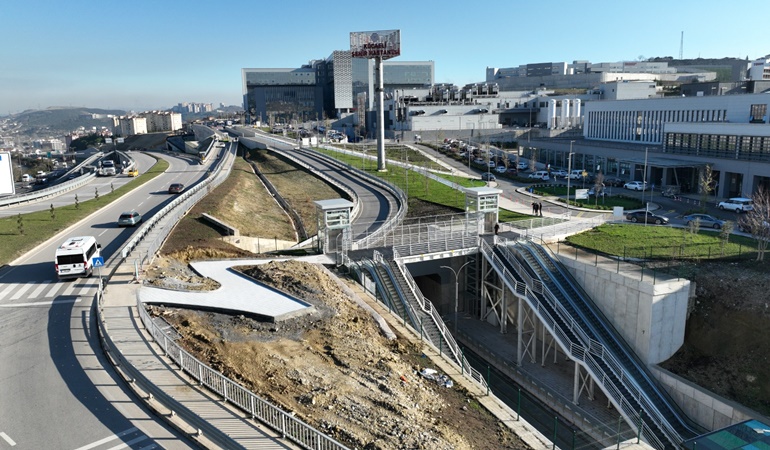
<point x="279" y="420"/>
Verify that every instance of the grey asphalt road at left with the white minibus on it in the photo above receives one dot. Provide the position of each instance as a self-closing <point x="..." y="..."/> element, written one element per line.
<point x="57" y="390"/>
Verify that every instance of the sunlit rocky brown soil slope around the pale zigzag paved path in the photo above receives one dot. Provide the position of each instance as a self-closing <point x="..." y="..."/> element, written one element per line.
<point x="337" y="371"/>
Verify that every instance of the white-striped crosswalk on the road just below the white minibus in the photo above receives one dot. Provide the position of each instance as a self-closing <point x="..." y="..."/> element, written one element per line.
<point x="47" y="290"/>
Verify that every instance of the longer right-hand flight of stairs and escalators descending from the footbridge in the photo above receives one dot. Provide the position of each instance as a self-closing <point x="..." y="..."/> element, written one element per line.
<point x="584" y="333"/>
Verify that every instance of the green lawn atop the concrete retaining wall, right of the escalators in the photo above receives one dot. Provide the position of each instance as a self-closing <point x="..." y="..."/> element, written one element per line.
<point x="655" y="242"/>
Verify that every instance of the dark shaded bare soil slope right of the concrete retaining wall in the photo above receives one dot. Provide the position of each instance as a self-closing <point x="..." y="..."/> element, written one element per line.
<point x="727" y="346"/>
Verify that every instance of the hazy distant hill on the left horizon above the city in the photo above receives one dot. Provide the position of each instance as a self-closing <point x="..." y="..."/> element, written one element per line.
<point x="61" y="120"/>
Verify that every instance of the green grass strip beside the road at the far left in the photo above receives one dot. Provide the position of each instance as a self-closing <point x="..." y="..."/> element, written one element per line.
<point x="22" y="233"/>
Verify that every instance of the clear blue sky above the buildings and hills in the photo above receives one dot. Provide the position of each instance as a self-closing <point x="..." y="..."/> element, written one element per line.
<point x="144" y="54"/>
